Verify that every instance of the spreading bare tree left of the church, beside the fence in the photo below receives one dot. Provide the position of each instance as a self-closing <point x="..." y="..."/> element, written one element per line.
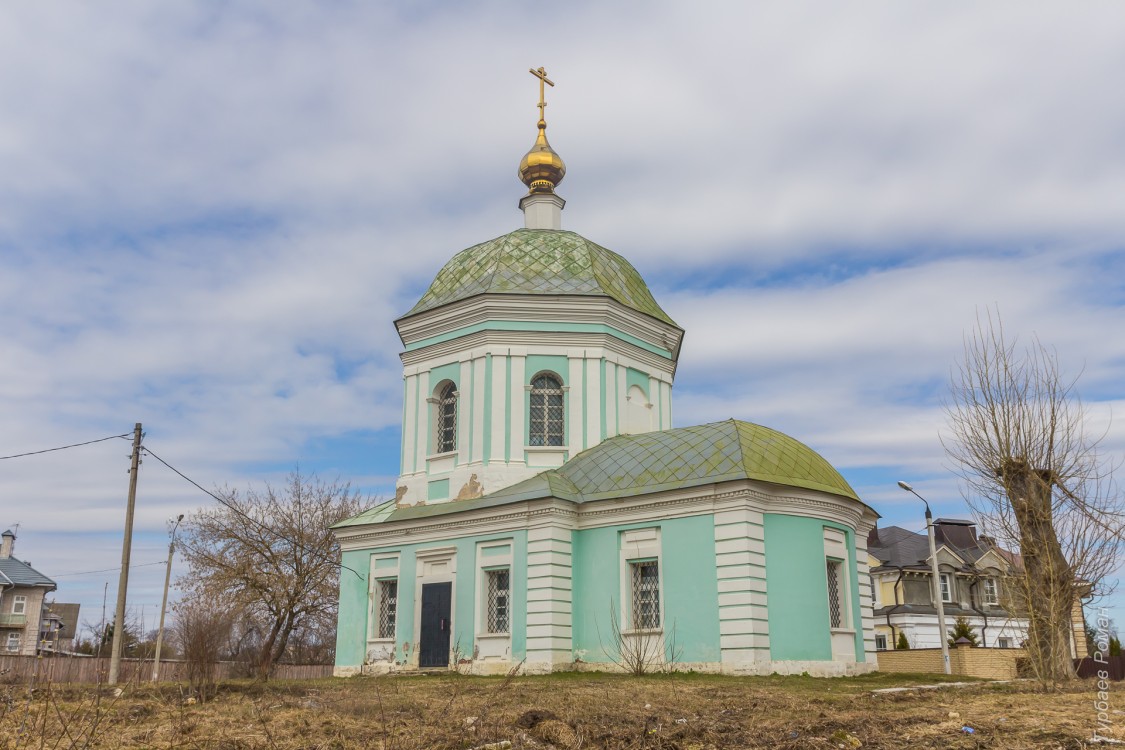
<point x="272" y="554"/>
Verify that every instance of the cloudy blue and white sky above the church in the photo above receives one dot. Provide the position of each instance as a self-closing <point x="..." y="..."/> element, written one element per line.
<point x="211" y="214"/>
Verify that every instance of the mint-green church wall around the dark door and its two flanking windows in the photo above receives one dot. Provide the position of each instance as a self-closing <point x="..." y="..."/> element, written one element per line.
<point x="353" y="627"/>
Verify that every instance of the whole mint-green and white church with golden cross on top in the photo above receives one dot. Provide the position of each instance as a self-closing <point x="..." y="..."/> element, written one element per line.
<point x="550" y="517"/>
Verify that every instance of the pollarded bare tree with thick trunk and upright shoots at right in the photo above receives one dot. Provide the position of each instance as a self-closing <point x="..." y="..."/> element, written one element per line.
<point x="1034" y="478"/>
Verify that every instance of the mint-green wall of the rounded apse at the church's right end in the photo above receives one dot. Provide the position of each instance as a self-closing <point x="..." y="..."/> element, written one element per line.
<point x="797" y="589"/>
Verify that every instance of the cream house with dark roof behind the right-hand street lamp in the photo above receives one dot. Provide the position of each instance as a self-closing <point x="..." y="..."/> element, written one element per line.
<point x="976" y="581"/>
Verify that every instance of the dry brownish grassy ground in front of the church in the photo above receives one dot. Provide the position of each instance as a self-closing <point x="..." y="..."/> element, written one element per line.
<point x="686" y="712"/>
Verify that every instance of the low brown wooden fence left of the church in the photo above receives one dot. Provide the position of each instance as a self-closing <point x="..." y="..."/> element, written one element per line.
<point x="59" y="668"/>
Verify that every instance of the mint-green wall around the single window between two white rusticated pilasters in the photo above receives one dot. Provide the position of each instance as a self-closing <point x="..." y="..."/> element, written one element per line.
<point x="691" y="594"/>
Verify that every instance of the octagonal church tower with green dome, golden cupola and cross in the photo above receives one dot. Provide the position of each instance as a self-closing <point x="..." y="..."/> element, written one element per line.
<point x="527" y="350"/>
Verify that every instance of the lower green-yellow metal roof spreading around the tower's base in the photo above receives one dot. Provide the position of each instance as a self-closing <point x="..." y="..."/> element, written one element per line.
<point x="669" y="459"/>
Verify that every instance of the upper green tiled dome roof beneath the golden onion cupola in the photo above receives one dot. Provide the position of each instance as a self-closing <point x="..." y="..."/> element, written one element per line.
<point x="541" y="263"/>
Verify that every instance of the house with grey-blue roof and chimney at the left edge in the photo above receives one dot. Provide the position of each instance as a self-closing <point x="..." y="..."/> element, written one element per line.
<point x="23" y="591"/>
